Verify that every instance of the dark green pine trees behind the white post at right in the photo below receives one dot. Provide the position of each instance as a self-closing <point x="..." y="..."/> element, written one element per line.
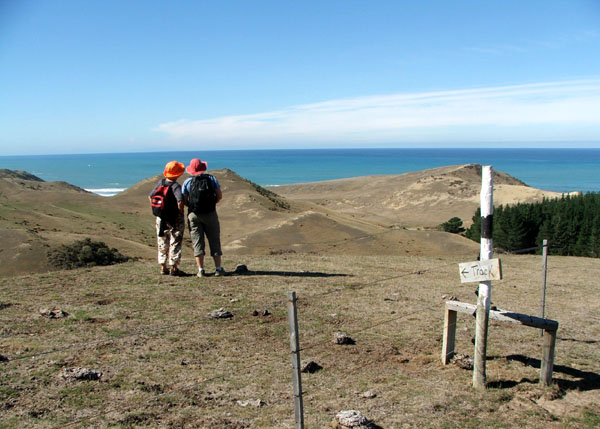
<point x="571" y="225"/>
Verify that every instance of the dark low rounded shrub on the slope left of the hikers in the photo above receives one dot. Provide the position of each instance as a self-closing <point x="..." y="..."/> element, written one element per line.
<point x="85" y="253"/>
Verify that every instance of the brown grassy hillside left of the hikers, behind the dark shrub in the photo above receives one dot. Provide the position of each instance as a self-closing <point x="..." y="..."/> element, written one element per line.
<point x="36" y="216"/>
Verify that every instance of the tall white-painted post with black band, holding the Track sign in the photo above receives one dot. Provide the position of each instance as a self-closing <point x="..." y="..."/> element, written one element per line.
<point x="485" y="288"/>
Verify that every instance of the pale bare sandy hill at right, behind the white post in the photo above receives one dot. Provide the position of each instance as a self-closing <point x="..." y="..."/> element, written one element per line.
<point x="421" y="199"/>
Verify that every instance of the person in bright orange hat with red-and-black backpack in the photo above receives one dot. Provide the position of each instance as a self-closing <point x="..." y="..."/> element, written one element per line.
<point x="166" y="200"/>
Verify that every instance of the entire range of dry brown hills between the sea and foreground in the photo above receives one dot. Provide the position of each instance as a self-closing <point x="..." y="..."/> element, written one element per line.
<point x="375" y="215"/>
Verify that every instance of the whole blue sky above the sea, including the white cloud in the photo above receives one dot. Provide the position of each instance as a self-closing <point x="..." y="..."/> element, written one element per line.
<point x="96" y="76"/>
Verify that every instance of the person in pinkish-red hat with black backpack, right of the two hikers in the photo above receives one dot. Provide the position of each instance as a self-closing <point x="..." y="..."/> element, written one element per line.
<point x="201" y="194"/>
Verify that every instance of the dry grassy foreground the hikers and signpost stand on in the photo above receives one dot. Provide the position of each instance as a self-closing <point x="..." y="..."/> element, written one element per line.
<point x="165" y="362"/>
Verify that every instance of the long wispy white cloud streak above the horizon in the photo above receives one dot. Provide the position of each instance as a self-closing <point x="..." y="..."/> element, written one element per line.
<point x="531" y="112"/>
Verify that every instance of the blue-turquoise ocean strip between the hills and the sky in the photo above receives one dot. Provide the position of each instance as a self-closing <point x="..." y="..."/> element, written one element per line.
<point x="560" y="170"/>
